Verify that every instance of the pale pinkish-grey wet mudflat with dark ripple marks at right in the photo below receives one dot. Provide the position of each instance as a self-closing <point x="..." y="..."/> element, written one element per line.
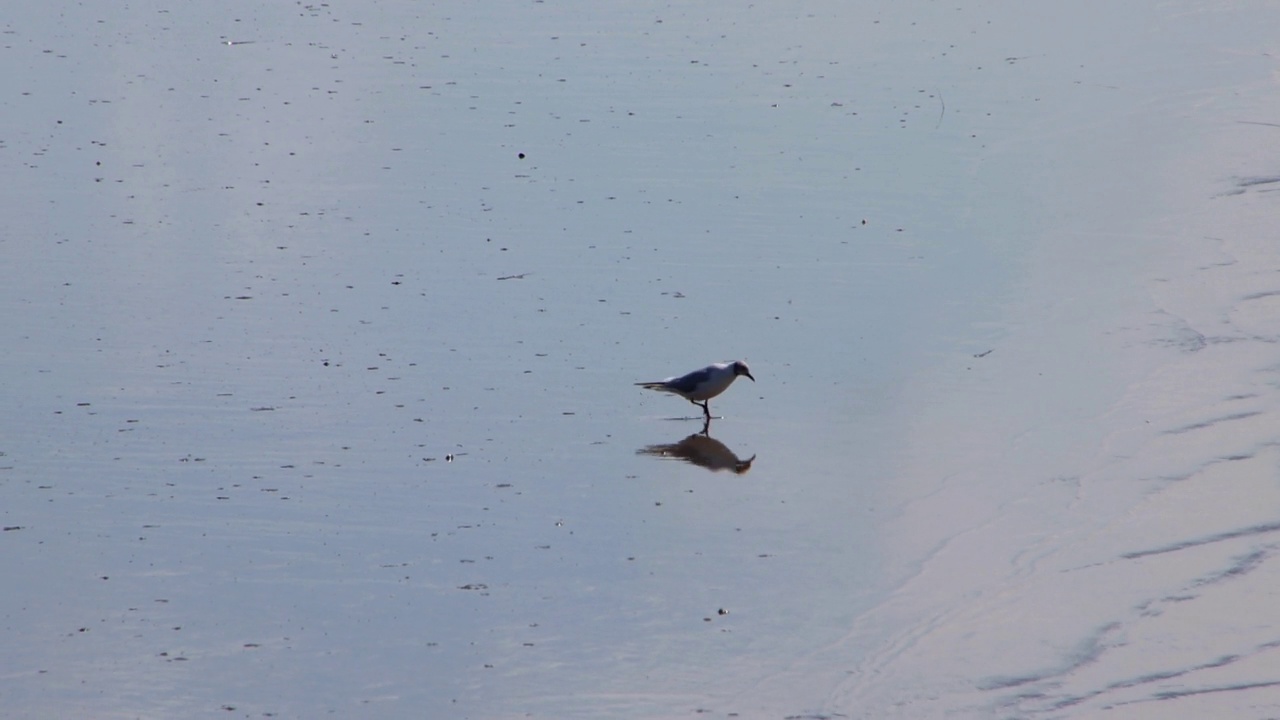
<point x="1099" y="535"/>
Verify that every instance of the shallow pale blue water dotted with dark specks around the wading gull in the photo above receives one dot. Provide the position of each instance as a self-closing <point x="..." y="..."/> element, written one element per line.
<point x="322" y="395"/>
